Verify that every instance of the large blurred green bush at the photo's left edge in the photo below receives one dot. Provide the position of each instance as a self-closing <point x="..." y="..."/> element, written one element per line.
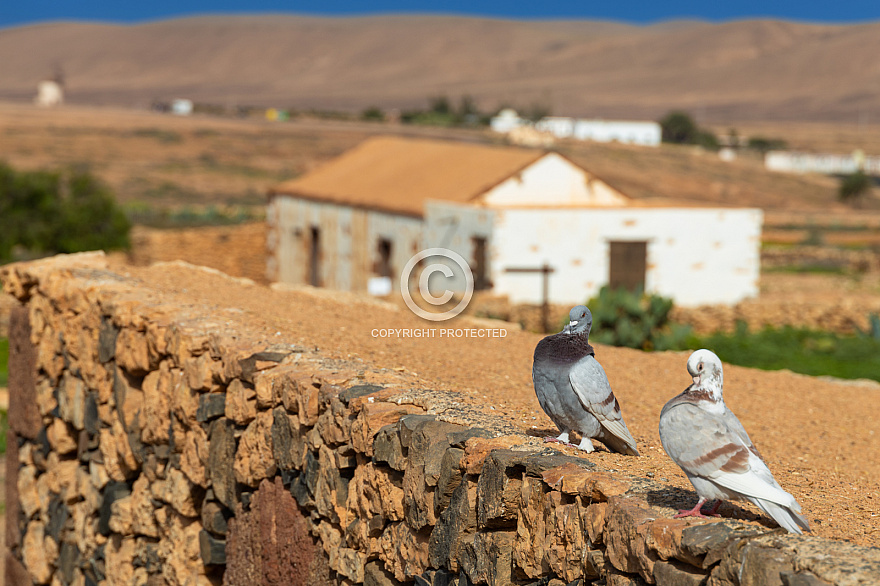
<point x="47" y="212"/>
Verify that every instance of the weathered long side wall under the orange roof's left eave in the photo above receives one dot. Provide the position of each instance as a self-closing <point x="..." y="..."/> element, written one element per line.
<point x="349" y="241"/>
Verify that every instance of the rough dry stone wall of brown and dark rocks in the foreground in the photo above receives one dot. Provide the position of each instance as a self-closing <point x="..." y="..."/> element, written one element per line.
<point x="161" y="443"/>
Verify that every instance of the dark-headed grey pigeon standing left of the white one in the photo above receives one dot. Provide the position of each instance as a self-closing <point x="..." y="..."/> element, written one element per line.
<point x="573" y="390"/>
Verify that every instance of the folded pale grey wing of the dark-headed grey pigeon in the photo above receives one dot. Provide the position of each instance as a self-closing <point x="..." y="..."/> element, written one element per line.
<point x="592" y="388"/>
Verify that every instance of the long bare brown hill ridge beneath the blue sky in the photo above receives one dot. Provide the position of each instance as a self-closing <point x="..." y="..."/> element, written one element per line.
<point x="741" y="70"/>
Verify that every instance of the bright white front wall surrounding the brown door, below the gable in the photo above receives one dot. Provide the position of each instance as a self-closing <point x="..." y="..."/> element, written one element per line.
<point x="695" y="256"/>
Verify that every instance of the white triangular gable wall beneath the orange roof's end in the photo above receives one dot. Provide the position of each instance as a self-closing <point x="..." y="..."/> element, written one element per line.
<point x="554" y="181"/>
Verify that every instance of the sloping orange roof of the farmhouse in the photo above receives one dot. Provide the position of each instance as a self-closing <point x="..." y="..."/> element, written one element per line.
<point x="398" y="174"/>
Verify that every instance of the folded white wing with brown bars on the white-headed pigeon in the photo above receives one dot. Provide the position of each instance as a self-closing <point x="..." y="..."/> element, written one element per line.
<point x="704" y="445"/>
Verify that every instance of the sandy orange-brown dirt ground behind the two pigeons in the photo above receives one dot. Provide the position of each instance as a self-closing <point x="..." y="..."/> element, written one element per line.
<point x="819" y="437"/>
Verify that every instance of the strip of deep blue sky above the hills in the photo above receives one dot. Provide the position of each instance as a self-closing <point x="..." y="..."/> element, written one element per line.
<point x="16" y="12"/>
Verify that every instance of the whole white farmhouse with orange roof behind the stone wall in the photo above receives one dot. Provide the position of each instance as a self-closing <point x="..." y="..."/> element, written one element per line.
<point x="365" y="214"/>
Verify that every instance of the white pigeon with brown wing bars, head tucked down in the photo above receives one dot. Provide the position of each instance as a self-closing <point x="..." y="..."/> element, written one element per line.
<point x="706" y="439"/>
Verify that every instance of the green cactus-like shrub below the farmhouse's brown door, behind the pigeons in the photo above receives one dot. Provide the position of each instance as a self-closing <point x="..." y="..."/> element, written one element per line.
<point x="635" y="320"/>
